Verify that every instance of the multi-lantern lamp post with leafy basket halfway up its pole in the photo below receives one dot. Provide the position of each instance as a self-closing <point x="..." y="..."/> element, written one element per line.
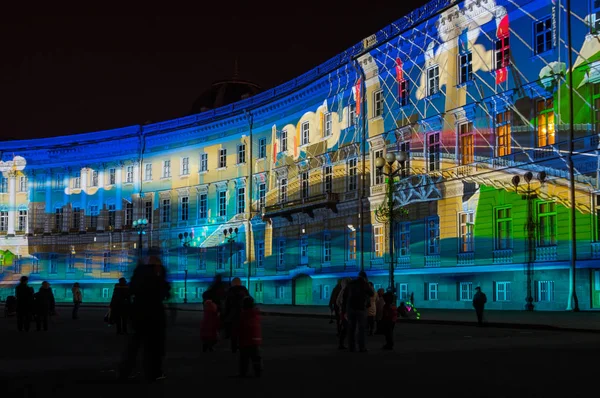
<point x="388" y="213"/>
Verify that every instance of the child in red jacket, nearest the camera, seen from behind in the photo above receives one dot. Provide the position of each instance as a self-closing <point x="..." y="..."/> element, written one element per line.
<point x="250" y="335"/>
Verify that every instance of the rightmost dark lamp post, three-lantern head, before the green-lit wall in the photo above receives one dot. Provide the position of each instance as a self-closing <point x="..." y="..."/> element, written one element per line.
<point x="529" y="195"/>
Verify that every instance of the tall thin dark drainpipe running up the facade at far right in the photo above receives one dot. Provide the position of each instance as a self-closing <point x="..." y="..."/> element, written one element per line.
<point x="573" y="304"/>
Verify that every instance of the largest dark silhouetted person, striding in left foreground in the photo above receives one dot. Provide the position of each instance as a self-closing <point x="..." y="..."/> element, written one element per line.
<point x="149" y="288"/>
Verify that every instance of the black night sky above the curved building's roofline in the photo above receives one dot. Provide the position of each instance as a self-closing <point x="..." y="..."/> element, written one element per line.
<point x="69" y="74"/>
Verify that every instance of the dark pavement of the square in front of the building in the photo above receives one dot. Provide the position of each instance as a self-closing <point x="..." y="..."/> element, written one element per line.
<point x="78" y="358"/>
